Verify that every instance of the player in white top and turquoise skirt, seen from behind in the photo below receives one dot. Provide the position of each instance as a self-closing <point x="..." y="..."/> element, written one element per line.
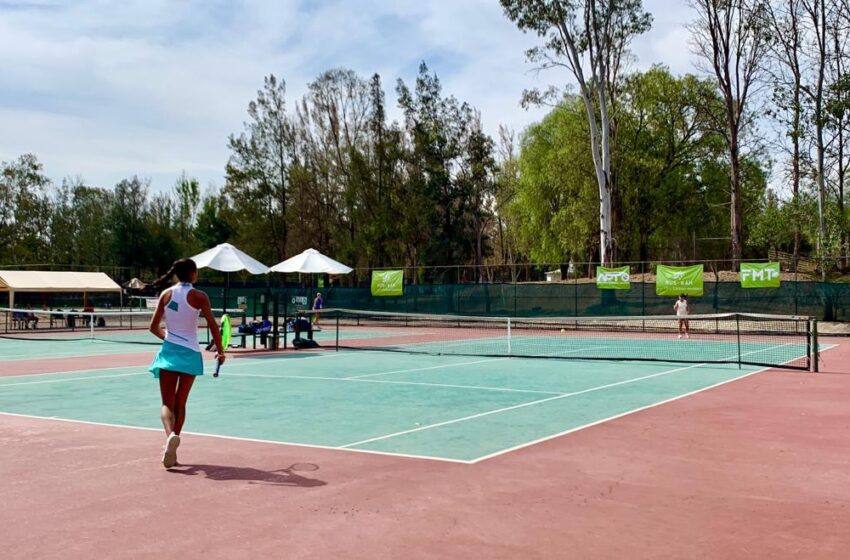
<point x="179" y="360"/>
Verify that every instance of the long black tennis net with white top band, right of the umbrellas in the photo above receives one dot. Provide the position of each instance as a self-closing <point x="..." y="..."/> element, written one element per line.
<point x="737" y="338"/>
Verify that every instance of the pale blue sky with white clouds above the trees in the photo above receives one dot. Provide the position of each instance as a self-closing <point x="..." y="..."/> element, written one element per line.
<point x="104" y="90"/>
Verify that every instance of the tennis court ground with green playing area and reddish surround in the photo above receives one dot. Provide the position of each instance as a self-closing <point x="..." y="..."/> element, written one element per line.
<point x="429" y="450"/>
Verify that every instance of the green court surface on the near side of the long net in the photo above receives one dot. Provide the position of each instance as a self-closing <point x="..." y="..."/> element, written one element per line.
<point x="441" y="407"/>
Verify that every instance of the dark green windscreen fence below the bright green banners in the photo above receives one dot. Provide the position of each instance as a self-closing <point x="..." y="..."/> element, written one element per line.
<point x="575" y="299"/>
